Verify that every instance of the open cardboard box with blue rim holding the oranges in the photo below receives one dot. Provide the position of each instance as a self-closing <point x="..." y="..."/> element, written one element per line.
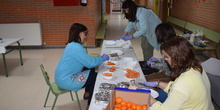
<point x="138" y="96"/>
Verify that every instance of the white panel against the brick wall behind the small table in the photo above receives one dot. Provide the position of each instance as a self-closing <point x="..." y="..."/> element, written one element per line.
<point x="31" y="32"/>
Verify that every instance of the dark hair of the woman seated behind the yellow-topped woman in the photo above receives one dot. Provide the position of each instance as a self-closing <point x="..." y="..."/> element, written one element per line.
<point x="164" y="32"/>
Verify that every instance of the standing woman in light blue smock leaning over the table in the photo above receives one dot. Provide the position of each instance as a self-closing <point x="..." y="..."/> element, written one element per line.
<point x="144" y="22"/>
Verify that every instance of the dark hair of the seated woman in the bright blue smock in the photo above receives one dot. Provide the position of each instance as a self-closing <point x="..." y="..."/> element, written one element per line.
<point x="74" y="32"/>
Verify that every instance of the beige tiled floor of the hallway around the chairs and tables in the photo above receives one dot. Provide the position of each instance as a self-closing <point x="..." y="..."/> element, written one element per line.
<point x="26" y="89"/>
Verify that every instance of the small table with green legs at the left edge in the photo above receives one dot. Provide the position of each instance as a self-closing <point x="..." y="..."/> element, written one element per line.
<point x="5" y="43"/>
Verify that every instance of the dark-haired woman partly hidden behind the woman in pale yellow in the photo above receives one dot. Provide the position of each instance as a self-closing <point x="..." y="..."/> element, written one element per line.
<point x="164" y="32"/>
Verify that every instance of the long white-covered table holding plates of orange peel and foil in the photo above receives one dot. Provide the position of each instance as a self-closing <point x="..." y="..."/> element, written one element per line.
<point x="118" y="74"/>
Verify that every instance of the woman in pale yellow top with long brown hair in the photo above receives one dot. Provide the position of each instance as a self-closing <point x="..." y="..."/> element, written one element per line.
<point x="191" y="88"/>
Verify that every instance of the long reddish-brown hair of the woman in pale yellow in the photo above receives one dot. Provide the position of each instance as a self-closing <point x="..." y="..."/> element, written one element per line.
<point x="182" y="56"/>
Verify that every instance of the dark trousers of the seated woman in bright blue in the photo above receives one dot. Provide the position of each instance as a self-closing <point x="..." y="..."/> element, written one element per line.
<point x="90" y="83"/>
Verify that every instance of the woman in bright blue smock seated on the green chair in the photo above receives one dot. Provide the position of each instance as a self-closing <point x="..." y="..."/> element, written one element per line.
<point x="75" y="69"/>
